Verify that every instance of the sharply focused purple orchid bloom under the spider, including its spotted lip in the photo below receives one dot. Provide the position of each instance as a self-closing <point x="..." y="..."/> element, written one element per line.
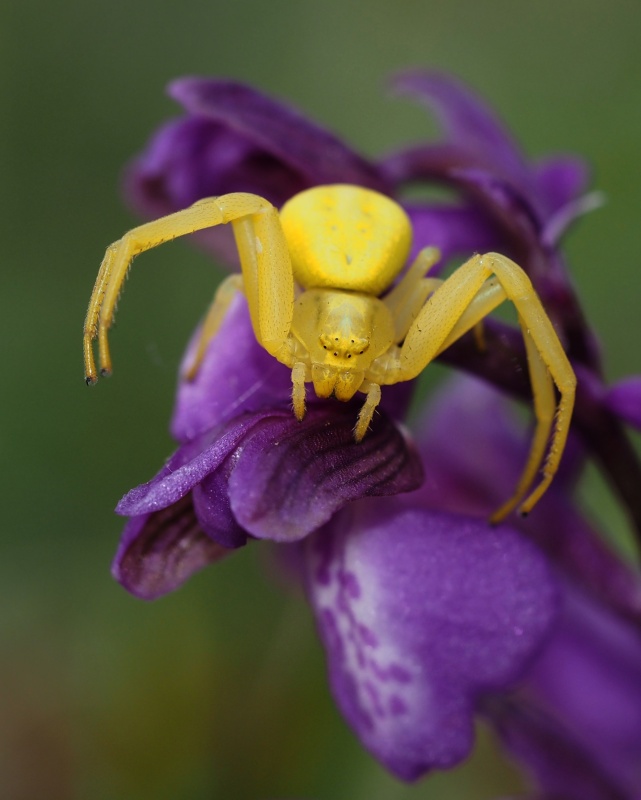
<point x="409" y="654"/>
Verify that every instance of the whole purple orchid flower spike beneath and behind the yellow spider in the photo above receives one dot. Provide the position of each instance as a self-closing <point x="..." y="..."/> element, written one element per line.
<point x="427" y="614"/>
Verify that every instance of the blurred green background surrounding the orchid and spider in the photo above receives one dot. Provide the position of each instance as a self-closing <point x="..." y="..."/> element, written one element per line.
<point x="219" y="691"/>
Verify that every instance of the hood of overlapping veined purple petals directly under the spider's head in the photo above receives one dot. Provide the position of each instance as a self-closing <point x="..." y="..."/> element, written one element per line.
<point x="284" y="478"/>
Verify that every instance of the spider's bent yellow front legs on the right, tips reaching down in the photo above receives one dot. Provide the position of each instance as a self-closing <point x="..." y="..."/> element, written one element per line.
<point x="457" y="306"/>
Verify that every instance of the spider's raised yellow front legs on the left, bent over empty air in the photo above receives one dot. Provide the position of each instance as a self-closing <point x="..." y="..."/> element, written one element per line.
<point x="267" y="275"/>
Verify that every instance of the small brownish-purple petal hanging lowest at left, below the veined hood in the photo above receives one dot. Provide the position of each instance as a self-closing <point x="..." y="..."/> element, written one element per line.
<point x="158" y="552"/>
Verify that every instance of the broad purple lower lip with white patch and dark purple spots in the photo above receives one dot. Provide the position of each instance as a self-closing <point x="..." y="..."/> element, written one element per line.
<point x="420" y="613"/>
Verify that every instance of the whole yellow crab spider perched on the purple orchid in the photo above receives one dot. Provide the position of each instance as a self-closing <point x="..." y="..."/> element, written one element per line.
<point x="317" y="279"/>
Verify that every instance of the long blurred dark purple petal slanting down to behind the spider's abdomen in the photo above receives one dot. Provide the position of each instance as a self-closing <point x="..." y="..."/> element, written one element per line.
<point x="300" y="144"/>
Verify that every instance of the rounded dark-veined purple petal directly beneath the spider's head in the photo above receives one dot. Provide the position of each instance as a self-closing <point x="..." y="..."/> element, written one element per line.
<point x="290" y="477"/>
